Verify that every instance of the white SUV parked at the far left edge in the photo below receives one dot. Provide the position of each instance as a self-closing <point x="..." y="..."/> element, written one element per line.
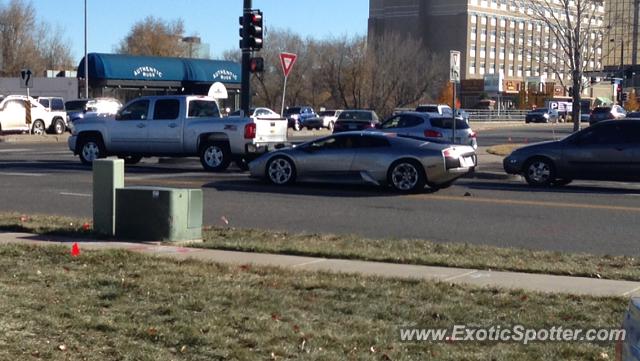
<point x="13" y="116"/>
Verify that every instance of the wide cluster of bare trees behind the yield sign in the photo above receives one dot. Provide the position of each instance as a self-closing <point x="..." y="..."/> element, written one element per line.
<point x="346" y="73"/>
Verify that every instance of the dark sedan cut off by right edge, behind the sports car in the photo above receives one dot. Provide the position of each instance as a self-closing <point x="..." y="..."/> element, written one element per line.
<point x="607" y="150"/>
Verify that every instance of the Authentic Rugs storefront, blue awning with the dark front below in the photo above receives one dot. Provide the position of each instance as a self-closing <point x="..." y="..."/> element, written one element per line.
<point x="126" y="77"/>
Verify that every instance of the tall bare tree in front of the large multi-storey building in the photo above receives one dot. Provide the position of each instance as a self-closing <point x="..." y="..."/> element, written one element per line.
<point x="575" y="26"/>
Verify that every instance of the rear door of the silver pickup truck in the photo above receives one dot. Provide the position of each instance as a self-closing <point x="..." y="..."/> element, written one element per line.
<point x="165" y="127"/>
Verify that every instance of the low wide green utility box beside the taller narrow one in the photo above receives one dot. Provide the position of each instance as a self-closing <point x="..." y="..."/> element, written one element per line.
<point x="159" y="214"/>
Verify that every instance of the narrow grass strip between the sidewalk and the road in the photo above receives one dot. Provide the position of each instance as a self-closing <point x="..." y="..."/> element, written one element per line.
<point x="407" y="251"/>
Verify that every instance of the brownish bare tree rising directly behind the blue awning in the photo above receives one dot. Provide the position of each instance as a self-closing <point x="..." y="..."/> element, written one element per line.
<point x="154" y="37"/>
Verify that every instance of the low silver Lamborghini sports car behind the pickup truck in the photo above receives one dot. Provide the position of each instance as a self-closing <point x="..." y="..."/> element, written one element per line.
<point x="404" y="163"/>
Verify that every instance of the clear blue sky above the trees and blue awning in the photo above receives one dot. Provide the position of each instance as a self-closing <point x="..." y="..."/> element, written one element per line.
<point x="215" y="21"/>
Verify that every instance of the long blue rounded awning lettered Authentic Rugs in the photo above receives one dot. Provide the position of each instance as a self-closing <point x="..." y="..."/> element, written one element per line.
<point x="163" y="69"/>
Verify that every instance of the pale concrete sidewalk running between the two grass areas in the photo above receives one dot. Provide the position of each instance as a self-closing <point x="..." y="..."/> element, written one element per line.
<point x="508" y="280"/>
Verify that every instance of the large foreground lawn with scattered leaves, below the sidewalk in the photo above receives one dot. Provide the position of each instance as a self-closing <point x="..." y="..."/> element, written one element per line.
<point x="116" y="305"/>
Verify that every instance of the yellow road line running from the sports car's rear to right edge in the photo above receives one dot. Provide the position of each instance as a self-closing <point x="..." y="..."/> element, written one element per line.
<point x="526" y="203"/>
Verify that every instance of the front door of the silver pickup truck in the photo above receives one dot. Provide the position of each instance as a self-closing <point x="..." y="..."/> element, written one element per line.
<point x="128" y="133"/>
